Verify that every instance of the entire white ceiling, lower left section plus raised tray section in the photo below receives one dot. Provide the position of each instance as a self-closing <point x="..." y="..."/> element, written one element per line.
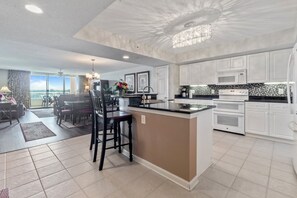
<point x="46" y="42"/>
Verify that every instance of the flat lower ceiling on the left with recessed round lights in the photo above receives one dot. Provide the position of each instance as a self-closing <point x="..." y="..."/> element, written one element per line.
<point x="46" y="43"/>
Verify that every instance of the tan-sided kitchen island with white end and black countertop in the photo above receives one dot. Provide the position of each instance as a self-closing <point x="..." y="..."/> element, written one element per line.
<point x="173" y="139"/>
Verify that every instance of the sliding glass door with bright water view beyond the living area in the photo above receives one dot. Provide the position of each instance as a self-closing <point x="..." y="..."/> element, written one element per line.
<point x="44" y="87"/>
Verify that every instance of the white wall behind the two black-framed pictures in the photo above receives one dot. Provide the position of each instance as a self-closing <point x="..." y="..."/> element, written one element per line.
<point x="117" y="75"/>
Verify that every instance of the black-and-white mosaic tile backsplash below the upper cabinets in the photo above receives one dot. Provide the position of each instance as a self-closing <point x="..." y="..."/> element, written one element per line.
<point x="256" y="89"/>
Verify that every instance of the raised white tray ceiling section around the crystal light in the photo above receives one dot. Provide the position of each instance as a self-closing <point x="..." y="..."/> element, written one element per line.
<point x="149" y="21"/>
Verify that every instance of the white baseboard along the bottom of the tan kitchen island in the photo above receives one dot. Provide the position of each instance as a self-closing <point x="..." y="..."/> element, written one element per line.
<point x="179" y="181"/>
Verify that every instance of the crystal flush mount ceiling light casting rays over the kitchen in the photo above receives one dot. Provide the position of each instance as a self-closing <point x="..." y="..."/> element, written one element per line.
<point x="192" y="35"/>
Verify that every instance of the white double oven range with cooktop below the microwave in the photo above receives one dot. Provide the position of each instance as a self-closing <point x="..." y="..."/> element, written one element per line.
<point x="230" y="110"/>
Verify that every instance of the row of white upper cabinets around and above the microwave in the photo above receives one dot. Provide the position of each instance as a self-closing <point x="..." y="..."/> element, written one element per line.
<point x="261" y="68"/>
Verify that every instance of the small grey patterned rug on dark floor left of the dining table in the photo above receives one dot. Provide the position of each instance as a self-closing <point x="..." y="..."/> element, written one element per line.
<point x="35" y="131"/>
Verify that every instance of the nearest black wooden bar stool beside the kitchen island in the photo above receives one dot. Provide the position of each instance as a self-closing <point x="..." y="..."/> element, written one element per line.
<point x="117" y="117"/>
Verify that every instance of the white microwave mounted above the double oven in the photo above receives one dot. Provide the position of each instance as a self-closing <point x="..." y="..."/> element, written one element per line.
<point x="231" y="77"/>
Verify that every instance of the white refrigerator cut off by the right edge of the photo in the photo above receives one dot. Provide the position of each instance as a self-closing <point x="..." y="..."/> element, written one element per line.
<point x="292" y="98"/>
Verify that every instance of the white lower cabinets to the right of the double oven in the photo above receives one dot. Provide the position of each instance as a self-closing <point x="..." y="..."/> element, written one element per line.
<point x="268" y="119"/>
